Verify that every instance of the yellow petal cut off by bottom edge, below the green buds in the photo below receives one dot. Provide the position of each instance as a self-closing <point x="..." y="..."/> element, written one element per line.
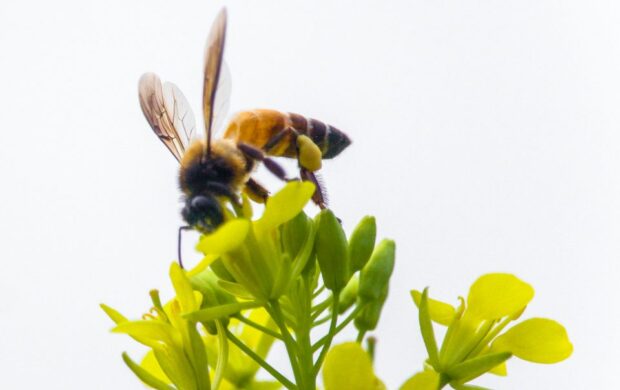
<point x="348" y="366"/>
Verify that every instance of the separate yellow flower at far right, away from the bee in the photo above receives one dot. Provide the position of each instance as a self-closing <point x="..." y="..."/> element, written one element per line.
<point x="473" y="343"/>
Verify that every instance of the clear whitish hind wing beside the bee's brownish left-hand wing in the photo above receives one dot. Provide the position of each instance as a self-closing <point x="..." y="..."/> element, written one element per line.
<point x="182" y="116"/>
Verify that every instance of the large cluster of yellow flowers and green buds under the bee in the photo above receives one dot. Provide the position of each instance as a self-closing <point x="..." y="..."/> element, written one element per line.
<point x="278" y="278"/>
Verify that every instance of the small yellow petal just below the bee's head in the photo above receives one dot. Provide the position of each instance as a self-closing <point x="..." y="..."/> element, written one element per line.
<point x="225" y="238"/>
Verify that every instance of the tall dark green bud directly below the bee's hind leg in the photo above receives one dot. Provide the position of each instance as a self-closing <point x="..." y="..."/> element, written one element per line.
<point x="331" y="251"/>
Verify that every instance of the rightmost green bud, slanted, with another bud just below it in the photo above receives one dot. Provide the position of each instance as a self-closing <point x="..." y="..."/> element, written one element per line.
<point x="375" y="275"/>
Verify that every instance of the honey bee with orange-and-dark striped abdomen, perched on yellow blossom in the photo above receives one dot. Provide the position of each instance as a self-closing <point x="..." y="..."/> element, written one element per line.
<point x="215" y="170"/>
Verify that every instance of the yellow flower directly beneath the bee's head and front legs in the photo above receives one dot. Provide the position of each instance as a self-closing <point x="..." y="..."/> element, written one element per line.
<point x="253" y="252"/>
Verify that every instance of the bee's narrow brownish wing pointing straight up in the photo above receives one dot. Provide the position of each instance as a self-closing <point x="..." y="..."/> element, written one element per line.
<point x="213" y="63"/>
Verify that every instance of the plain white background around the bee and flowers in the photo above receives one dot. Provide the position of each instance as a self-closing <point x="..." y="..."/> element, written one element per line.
<point x="486" y="138"/>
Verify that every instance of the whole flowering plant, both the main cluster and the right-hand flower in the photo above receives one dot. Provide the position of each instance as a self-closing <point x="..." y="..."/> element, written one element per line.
<point x="287" y="278"/>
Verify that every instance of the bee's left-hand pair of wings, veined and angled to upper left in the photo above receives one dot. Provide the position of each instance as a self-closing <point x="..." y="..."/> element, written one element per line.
<point x="168" y="113"/>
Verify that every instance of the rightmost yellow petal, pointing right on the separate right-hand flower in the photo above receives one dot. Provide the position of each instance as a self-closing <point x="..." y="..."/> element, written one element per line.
<point x="538" y="340"/>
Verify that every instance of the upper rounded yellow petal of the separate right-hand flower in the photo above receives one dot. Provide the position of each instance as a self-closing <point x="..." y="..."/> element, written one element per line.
<point x="494" y="296"/>
